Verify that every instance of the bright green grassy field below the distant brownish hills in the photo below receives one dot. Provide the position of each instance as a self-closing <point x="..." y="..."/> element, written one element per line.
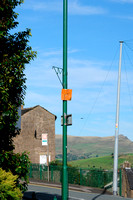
<point x="105" y="162"/>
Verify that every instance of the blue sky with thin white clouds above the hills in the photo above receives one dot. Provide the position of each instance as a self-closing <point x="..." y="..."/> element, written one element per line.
<point x="95" y="28"/>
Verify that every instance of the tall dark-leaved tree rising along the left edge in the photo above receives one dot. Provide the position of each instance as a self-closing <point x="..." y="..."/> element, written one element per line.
<point x="15" y="52"/>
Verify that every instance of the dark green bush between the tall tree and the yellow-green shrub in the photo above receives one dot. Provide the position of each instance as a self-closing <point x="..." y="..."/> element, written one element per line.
<point x="19" y="165"/>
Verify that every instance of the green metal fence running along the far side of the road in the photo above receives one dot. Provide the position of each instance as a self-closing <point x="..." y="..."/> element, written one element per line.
<point x="86" y="177"/>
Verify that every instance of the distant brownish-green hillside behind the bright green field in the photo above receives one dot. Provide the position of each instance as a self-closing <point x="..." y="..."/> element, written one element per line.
<point x="88" y="147"/>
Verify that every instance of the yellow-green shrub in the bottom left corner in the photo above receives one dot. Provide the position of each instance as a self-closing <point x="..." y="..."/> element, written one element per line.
<point x="8" y="190"/>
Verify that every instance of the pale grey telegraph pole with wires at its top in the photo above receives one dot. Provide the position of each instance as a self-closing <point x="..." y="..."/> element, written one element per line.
<point x="115" y="173"/>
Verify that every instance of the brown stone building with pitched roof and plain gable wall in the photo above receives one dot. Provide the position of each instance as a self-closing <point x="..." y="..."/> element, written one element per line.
<point x="36" y="121"/>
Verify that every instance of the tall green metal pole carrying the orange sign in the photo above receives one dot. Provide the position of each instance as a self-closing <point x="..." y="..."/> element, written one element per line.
<point x="65" y="175"/>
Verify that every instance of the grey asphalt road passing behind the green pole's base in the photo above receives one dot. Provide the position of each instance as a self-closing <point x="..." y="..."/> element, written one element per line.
<point x="49" y="192"/>
